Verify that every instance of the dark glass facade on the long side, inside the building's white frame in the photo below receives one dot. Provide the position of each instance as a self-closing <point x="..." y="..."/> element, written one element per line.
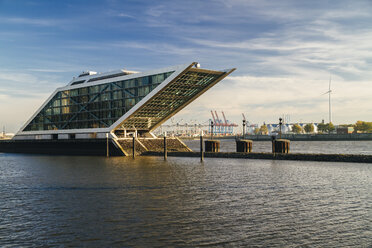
<point x="96" y="106"/>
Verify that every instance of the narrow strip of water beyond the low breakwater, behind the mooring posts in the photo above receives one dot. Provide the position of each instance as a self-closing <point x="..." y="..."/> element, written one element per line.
<point x="327" y="147"/>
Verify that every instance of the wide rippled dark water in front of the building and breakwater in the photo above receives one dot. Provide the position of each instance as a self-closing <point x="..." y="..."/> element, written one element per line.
<point x="120" y="202"/>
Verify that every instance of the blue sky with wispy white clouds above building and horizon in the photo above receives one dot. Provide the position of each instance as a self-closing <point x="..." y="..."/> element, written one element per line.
<point x="285" y="53"/>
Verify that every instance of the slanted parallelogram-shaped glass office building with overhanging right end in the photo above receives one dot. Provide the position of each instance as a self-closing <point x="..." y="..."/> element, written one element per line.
<point x="122" y="100"/>
